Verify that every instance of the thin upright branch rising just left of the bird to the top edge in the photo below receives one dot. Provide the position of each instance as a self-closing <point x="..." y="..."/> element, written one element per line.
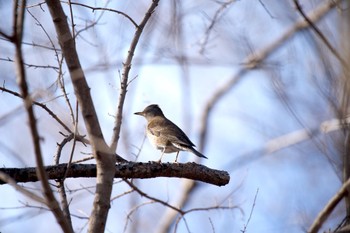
<point x="125" y="74"/>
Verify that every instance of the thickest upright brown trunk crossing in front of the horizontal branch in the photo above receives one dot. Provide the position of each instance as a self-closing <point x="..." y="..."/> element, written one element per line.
<point x="105" y="159"/>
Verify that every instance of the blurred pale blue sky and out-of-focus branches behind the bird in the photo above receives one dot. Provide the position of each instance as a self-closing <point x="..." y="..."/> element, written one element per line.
<point x="262" y="96"/>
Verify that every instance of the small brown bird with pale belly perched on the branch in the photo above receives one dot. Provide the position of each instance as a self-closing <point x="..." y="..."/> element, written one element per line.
<point x="164" y="134"/>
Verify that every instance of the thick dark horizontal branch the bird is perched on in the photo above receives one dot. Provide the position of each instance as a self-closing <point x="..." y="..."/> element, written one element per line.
<point x="126" y="170"/>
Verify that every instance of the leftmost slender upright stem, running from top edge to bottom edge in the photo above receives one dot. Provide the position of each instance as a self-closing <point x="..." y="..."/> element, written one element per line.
<point x="22" y="82"/>
